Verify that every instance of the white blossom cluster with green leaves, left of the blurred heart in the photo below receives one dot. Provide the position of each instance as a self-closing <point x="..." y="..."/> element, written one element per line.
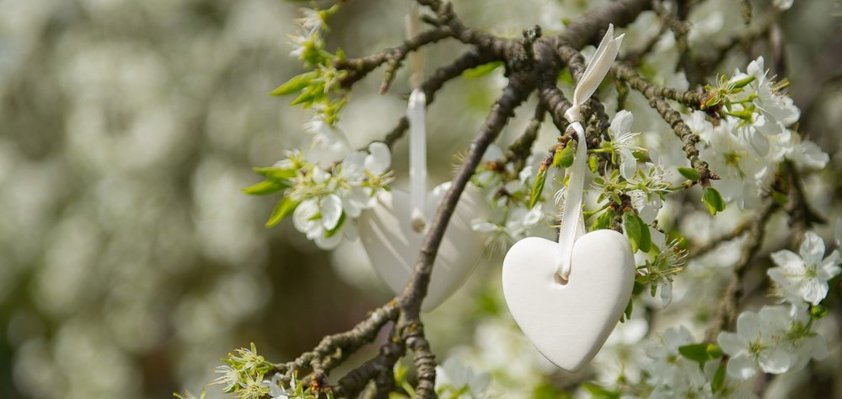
<point x="327" y="185"/>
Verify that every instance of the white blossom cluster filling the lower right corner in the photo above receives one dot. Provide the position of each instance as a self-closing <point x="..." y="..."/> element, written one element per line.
<point x="775" y="339"/>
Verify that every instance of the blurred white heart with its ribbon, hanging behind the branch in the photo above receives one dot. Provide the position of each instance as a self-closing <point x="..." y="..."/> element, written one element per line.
<point x="393" y="230"/>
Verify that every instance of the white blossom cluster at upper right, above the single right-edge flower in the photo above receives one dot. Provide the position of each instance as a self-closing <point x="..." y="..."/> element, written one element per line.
<point x="752" y="134"/>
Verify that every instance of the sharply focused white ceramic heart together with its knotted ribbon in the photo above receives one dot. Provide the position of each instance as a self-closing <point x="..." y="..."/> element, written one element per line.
<point x="568" y="296"/>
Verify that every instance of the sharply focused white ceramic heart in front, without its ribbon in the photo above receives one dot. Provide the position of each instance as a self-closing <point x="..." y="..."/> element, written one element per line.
<point x="568" y="323"/>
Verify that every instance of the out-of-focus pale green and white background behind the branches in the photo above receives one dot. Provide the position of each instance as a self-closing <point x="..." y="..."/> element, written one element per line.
<point x="130" y="262"/>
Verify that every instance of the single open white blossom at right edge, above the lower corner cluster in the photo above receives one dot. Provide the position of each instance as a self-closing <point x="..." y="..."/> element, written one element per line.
<point x="805" y="277"/>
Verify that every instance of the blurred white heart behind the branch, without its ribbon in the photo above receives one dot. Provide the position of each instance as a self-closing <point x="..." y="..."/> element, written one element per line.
<point x="393" y="244"/>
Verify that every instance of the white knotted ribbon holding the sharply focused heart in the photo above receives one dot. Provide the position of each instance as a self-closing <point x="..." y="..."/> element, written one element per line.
<point x="573" y="222"/>
